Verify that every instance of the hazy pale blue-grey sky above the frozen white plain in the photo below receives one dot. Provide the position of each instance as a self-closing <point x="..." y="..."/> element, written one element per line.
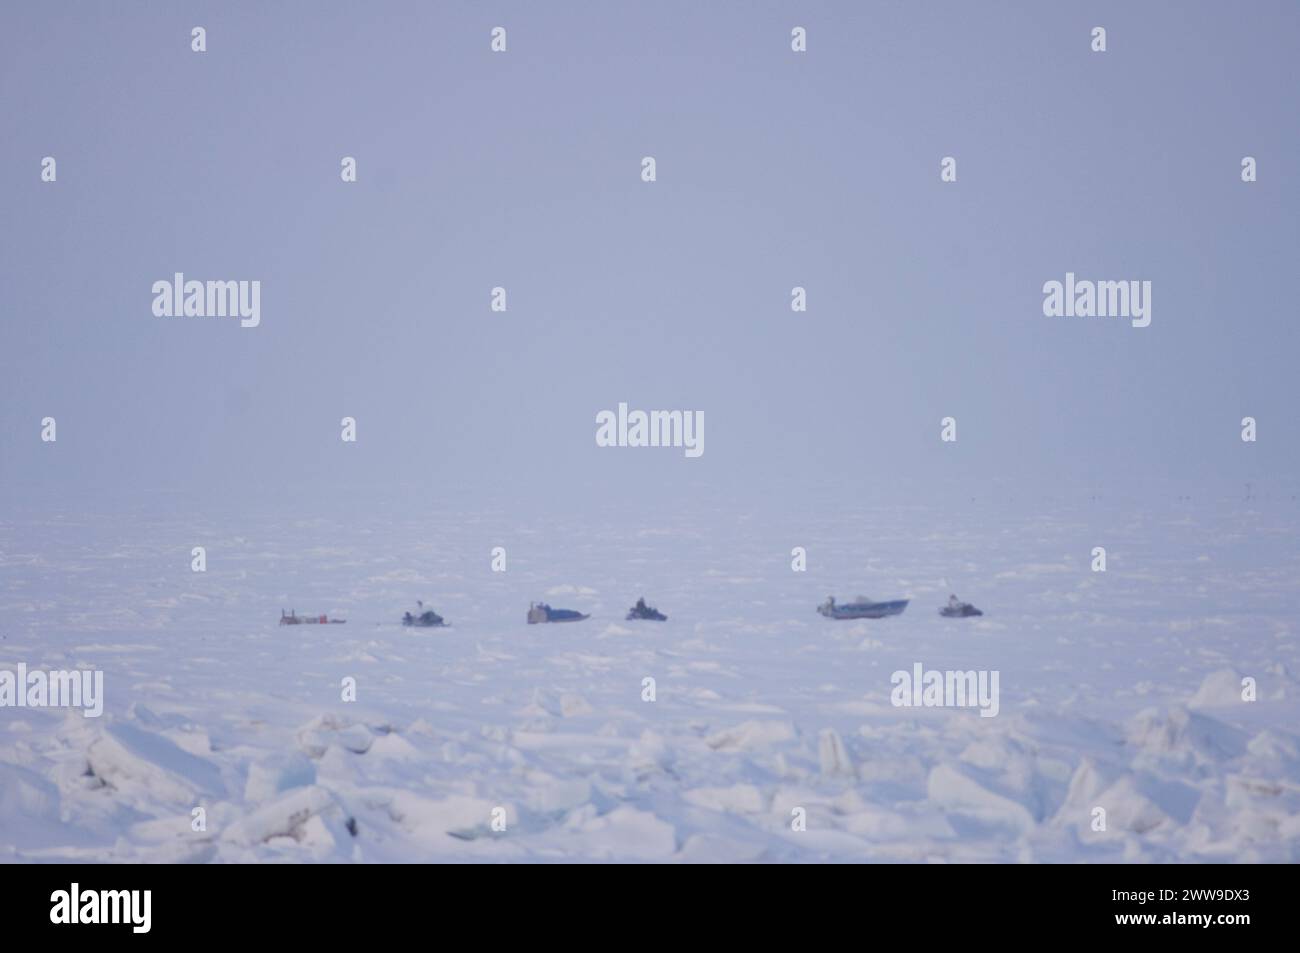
<point x="522" y="170"/>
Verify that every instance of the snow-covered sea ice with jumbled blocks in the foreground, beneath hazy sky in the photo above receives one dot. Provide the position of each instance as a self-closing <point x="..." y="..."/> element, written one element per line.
<point x="1119" y="691"/>
